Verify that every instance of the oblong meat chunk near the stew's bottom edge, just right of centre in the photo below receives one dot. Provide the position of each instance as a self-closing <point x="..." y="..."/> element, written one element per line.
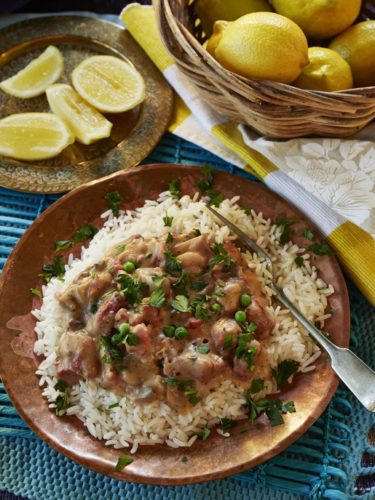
<point x="192" y="365"/>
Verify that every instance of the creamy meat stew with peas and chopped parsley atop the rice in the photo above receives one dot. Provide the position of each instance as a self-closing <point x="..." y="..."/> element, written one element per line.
<point x="166" y="321"/>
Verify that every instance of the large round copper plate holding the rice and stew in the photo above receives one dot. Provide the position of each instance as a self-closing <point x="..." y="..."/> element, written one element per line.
<point x="217" y="457"/>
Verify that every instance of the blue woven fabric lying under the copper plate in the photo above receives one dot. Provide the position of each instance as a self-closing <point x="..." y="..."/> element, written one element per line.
<point x="321" y="464"/>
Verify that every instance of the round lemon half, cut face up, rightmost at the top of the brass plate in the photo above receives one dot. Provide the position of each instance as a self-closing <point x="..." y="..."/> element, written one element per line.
<point x="110" y="84"/>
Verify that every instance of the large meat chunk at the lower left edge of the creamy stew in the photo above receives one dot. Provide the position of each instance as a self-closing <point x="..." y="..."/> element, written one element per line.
<point x="77" y="357"/>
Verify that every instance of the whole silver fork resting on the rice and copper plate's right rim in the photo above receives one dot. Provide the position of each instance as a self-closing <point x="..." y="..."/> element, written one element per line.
<point x="355" y="374"/>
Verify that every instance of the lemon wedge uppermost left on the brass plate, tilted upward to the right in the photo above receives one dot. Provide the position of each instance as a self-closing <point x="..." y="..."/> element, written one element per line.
<point x="36" y="76"/>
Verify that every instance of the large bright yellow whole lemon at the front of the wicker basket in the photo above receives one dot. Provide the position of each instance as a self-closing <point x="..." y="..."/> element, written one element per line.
<point x="262" y="45"/>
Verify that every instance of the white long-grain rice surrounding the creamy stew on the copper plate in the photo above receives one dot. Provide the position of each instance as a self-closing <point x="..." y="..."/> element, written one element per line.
<point x="130" y="424"/>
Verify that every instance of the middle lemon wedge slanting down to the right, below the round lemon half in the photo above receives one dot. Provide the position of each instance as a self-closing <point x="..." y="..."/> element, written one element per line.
<point x="86" y="123"/>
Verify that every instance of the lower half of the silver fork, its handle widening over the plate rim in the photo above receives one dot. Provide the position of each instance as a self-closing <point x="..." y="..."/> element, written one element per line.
<point x="355" y="374"/>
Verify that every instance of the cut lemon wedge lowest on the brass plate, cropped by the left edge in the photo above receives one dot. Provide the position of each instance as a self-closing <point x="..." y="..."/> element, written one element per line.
<point x="33" y="136"/>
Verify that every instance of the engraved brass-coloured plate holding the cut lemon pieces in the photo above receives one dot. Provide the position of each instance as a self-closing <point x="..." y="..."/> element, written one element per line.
<point x="134" y="133"/>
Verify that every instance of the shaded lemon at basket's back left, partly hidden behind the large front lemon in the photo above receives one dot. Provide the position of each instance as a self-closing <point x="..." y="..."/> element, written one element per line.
<point x="210" y="11"/>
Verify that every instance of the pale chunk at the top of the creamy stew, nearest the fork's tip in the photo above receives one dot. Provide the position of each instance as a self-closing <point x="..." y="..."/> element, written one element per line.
<point x="193" y="254"/>
